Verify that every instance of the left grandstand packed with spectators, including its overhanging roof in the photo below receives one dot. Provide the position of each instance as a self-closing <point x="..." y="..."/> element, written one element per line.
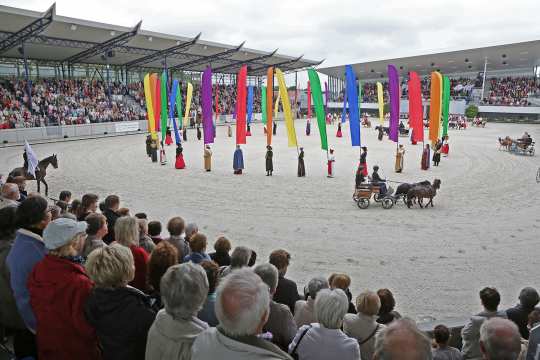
<point x="82" y="71"/>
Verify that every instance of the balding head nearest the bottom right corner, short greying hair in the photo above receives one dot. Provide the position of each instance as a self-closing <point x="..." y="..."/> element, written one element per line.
<point x="500" y="340"/>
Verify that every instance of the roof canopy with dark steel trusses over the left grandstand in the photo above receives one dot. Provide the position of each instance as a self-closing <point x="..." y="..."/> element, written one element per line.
<point x="52" y="38"/>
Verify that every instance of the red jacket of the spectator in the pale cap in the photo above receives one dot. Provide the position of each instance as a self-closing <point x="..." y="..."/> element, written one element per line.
<point x="58" y="291"/>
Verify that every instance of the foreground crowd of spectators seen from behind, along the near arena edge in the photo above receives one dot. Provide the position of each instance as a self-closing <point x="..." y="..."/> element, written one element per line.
<point x="91" y="280"/>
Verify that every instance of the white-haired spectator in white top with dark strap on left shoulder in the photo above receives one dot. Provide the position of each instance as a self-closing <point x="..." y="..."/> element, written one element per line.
<point x="325" y="340"/>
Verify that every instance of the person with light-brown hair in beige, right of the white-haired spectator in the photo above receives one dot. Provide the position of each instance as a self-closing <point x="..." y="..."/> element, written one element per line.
<point x="363" y="326"/>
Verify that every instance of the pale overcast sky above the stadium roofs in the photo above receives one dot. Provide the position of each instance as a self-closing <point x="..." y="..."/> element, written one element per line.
<point x="339" y="31"/>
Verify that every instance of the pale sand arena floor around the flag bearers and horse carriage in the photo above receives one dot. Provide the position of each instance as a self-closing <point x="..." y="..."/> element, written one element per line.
<point x="483" y="230"/>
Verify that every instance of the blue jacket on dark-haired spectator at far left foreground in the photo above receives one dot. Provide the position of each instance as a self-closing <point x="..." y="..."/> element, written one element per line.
<point x="28" y="249"/>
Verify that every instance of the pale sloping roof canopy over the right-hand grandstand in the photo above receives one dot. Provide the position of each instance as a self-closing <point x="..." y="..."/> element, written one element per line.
<point x="523" y="55"/>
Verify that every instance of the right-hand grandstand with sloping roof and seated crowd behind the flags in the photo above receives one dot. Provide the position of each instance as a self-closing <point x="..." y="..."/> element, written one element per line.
<point x="503" y="80"/>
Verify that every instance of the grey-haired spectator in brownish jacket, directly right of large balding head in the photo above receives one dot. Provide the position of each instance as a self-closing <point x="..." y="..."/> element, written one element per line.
<point x="280" y="321"/>
